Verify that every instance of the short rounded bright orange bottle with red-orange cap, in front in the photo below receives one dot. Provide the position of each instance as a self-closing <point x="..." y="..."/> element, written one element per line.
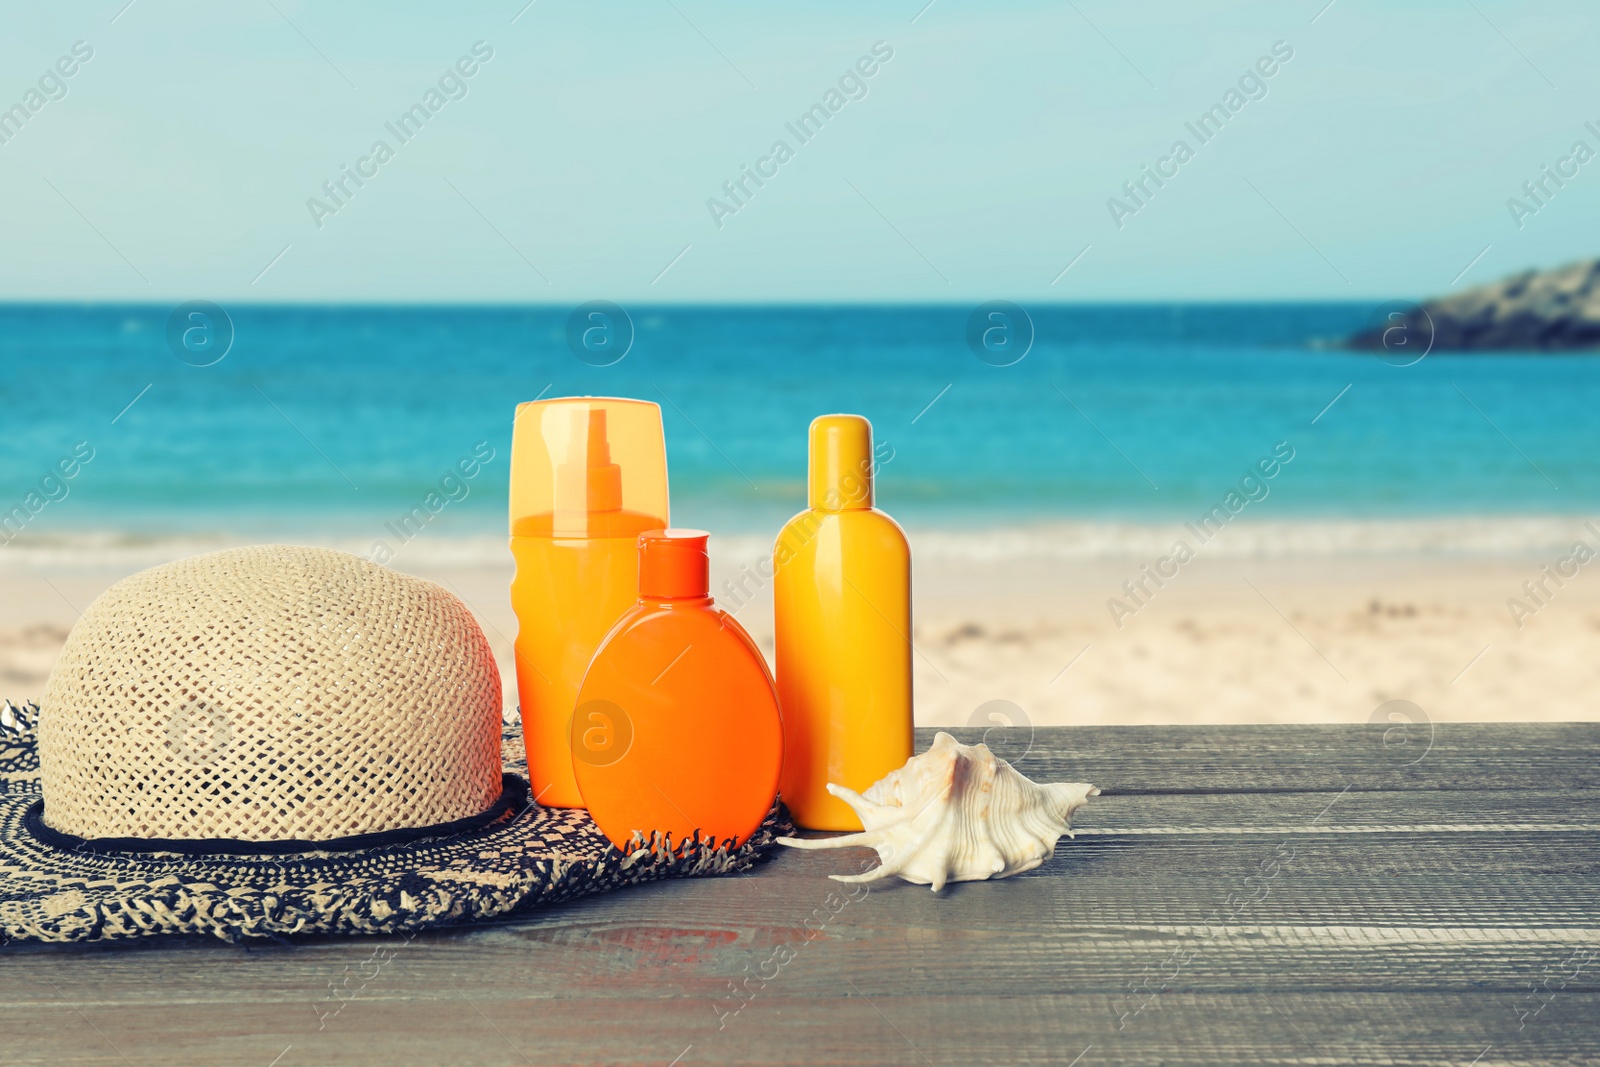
<point x="678" y="725"/>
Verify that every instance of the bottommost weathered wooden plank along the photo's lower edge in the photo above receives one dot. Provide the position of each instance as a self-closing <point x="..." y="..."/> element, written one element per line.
<point x="863" y="1025"/>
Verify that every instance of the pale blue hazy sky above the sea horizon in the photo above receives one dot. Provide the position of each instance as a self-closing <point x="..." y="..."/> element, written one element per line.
<point x="588" y="153"/>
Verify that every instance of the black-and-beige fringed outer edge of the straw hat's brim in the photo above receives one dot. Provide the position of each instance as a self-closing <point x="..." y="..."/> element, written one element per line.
<point x="558" y="857"/>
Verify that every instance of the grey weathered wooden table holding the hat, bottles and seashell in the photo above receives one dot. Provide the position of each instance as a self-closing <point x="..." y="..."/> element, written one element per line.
<point x="1242" y="895"/>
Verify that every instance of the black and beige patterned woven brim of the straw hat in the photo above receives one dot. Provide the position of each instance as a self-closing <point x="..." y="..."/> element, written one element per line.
<point x="526" y="858"/>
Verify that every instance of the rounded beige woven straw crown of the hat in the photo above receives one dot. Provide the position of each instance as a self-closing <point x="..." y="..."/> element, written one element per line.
<point x="265" y="695"/>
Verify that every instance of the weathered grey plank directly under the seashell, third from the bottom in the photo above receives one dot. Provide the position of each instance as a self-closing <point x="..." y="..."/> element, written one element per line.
<point x="1457" y="877"/>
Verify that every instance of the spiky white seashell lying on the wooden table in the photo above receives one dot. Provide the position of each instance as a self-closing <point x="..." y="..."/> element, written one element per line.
<point x="956" y="813"/>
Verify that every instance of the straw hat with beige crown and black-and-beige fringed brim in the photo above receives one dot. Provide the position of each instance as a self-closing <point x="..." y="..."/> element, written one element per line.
<point x="284" y="740"/>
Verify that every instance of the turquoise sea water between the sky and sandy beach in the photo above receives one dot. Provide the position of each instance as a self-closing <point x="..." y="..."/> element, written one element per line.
<point x="326" y="420"/>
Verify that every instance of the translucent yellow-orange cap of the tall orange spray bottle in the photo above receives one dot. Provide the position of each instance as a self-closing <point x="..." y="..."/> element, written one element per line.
<point x="588" y="468"/>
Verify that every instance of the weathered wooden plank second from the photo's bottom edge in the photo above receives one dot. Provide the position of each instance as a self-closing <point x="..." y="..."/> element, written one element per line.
<point x="623" y="959"/>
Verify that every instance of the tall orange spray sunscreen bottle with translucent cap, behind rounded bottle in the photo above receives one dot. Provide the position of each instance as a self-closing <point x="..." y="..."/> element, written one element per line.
<point x="588" y="476"/>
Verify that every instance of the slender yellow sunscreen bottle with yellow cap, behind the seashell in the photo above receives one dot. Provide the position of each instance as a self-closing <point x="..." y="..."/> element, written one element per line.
<point x="842" y="597"/>
